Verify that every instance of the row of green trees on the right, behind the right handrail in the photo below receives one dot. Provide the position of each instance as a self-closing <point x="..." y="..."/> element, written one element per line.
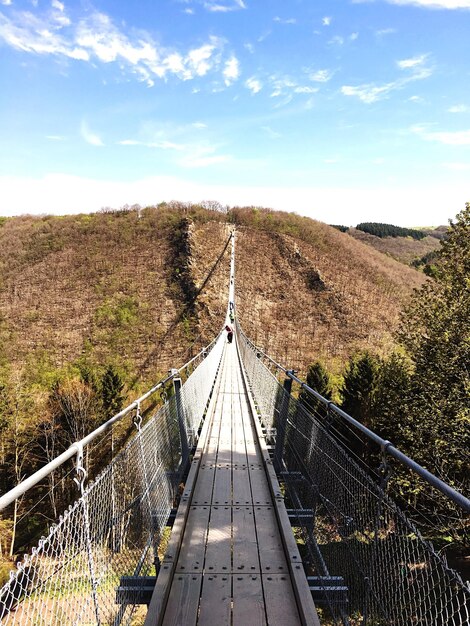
<point x="418" y="397"/>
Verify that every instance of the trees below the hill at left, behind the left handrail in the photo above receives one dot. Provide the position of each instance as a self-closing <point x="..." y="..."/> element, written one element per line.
<point x="37" y="423"/>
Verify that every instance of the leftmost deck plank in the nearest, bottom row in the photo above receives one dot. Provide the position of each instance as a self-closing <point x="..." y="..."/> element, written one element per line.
<point x="183" y="603"/>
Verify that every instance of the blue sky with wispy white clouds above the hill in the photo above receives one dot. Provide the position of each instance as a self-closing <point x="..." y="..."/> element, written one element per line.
<point x="343" y="110"/>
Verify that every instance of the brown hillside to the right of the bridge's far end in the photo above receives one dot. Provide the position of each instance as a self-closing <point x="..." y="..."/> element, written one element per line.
<point x="306" y="291"/>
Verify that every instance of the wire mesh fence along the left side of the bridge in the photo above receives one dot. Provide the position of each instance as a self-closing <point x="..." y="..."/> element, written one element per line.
<point x="116" y="527"/>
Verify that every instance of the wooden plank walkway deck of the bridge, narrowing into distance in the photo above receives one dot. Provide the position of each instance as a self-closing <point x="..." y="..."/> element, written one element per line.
<point x="232" y="558"/>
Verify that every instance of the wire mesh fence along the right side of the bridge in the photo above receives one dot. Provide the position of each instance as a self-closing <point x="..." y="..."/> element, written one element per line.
<point x="367" y="561"/>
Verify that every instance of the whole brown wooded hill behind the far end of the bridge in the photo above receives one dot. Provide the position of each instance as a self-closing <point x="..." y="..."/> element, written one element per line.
<point x="123" y="287"/>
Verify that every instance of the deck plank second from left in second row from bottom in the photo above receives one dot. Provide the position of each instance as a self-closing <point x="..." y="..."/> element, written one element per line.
<point x="218" y="557"/>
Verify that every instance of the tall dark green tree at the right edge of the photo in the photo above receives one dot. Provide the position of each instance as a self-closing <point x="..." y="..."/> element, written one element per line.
<point x="435" y="330"/>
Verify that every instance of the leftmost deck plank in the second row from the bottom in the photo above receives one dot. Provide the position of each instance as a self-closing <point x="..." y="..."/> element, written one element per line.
<point x="191" y="556"/>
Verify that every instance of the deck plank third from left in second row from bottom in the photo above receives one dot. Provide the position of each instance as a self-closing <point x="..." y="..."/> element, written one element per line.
<point x="245" y="543"/>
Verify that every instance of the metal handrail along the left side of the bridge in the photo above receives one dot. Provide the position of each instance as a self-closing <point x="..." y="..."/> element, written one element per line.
<point x="77" y="447"/>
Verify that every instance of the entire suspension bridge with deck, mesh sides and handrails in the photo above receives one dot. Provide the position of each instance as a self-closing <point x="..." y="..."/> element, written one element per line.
<point x="233" y="504"/>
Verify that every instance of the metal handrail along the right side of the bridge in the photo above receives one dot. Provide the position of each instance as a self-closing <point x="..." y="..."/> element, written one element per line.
<point x="386" y="446"/>
